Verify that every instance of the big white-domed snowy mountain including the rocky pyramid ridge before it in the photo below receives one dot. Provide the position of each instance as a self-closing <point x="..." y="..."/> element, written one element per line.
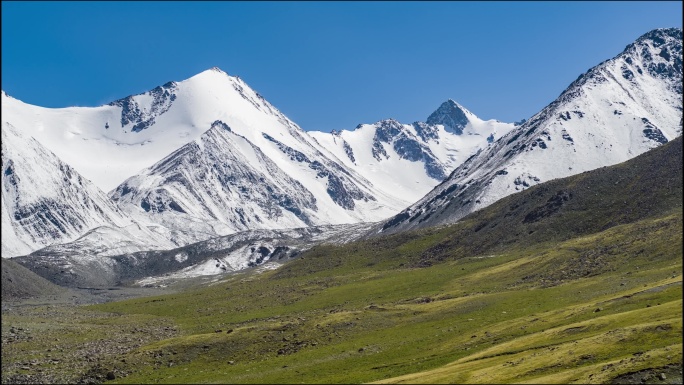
<point x="203" y="157"/>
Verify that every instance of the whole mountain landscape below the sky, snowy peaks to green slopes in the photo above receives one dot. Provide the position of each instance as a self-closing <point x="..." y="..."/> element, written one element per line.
<point x="195" y="234"/>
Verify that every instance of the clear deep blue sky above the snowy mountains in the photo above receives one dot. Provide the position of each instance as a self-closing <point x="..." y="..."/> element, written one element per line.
<point x="326" y="65"/>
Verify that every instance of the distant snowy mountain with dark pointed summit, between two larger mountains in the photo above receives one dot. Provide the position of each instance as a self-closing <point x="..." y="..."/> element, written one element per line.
<point x="408" y="160"/>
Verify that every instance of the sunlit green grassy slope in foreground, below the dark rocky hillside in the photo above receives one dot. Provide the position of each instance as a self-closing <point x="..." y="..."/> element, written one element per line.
<point x="361" y="323"/>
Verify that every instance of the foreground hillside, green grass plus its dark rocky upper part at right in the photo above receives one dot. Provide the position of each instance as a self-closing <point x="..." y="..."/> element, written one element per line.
<point x="584" y="290"/>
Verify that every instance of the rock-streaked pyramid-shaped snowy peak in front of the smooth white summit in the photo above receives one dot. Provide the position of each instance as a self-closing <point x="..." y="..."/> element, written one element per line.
<point x="221" y="179"/>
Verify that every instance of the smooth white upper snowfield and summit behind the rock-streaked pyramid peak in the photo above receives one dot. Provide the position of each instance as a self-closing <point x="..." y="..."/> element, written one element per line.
<point x="111" y="143"/>
